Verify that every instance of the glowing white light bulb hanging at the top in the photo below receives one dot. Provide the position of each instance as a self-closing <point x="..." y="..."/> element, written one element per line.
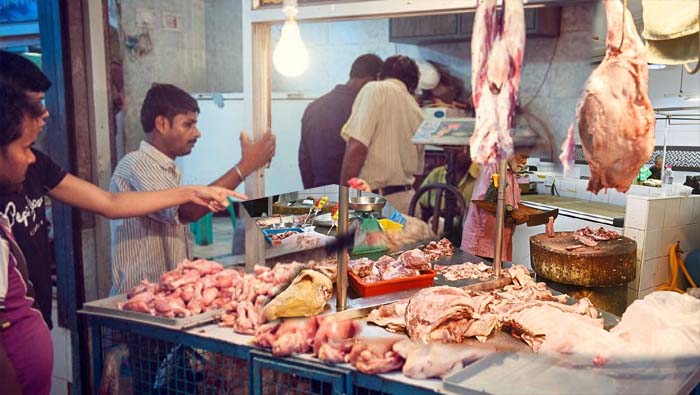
<point x="290" y="56"/>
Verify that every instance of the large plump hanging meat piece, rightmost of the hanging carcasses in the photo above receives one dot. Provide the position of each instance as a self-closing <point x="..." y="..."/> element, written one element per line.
<point x="615" y="116"/>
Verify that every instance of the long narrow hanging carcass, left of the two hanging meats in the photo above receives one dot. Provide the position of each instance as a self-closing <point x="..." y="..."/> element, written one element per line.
<point x="498" y="45"/>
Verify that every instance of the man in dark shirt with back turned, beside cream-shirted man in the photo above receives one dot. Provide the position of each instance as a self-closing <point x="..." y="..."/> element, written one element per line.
<point x="321" y="148"/>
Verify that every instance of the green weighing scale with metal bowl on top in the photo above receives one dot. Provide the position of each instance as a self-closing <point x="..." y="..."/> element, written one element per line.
<point x="372" y="243"/>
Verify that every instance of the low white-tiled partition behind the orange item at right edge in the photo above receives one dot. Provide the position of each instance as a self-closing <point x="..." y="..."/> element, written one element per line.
<point x="656" y="224"/>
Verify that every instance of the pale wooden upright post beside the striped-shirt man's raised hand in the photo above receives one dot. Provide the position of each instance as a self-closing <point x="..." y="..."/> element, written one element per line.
<point x="257" y="64"/>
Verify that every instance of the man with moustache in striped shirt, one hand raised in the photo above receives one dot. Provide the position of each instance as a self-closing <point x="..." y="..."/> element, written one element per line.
<point x="145" y="247"/>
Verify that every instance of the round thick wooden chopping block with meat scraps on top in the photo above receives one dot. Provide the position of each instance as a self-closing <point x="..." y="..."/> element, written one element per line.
<point x="610" y="263"/>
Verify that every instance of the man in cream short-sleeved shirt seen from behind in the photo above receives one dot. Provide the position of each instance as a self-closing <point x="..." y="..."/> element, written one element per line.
<point x="384" y="118"/>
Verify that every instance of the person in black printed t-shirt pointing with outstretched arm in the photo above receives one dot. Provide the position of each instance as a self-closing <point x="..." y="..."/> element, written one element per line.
<point x="24" y="204"/>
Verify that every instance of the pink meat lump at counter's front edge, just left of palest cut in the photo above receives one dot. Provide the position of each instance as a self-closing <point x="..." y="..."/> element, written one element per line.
<point x="375" y="355"/>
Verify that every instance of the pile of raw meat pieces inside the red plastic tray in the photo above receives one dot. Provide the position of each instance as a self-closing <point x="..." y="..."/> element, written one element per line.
<point x="410" y="263"/>
